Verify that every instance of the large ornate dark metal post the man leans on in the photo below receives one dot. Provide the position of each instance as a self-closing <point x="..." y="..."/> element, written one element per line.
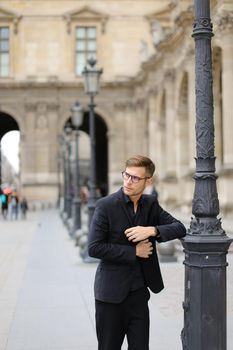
<point x="206" y="243"/>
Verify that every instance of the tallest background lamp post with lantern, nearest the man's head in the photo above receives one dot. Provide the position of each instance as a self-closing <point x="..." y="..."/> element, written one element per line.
<point x="91" y="79"/>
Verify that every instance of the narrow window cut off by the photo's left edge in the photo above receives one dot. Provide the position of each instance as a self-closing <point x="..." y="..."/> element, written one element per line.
<point x="4" y="51"/>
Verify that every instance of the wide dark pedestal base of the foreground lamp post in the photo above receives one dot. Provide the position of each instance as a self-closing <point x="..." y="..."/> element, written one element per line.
<point x="205" y="292"/>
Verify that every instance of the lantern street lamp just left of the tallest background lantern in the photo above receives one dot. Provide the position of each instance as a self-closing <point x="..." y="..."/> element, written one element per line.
<point x="77" y="119"/>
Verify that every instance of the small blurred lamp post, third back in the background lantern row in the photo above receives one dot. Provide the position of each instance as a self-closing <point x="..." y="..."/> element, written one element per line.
<point x="68" y="196"/>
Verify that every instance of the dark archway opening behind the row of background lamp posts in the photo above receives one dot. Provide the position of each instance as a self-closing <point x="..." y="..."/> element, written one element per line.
<point x="101" y="156"/>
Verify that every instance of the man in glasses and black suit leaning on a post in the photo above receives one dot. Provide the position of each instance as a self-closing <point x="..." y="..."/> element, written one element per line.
<point x="125" y="229"/>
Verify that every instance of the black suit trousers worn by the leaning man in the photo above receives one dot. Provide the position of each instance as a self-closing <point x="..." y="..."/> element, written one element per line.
<point x="129" y="318"/>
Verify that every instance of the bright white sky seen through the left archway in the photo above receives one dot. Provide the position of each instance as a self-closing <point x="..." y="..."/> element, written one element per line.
<point x="10" y="148"/>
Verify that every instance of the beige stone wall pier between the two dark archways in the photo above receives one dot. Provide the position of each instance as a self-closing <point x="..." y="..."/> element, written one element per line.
<point x="39" y="152"/>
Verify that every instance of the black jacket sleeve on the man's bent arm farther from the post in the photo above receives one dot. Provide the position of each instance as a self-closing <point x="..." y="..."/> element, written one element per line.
<point x="99" y="245"/>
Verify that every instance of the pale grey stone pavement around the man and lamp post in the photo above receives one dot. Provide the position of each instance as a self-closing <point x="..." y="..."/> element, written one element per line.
<point x="46" y="291"/>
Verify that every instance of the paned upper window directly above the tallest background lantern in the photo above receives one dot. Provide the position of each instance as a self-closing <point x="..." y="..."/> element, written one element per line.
<point x="85" y="46"/>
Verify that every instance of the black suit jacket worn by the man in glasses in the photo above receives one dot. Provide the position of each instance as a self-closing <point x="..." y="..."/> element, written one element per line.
<point x="117" y="255"/>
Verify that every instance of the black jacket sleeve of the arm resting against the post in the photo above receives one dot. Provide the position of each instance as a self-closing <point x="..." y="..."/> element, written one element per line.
<point x="169" y="228"/>
